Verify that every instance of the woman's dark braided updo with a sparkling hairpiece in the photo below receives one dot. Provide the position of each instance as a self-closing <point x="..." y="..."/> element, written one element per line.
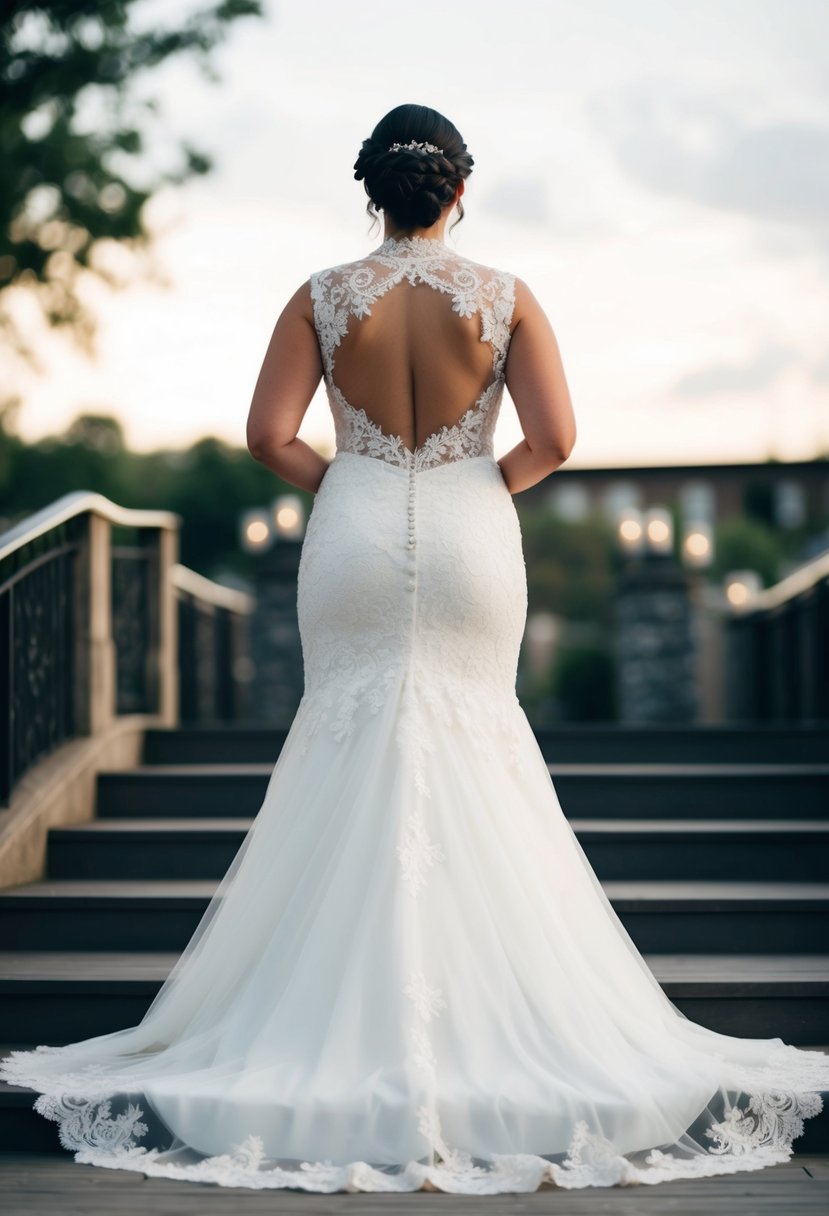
<point x="413" y="187"/>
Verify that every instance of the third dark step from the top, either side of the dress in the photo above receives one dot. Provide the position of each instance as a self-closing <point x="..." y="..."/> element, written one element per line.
<point x="792" y="851"/>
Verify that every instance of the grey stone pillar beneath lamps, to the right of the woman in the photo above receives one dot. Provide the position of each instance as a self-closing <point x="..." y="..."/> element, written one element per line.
<point x="657" y="660"/>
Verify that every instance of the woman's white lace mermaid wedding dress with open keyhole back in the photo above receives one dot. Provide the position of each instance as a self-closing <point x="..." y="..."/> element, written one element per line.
<point x="410" y="975"/>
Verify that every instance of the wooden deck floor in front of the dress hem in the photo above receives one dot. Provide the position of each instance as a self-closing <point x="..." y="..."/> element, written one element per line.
<point x="33" y="1185"/>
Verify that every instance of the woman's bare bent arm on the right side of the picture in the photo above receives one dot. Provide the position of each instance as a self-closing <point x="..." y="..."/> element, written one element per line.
<point x="538" y="386"/>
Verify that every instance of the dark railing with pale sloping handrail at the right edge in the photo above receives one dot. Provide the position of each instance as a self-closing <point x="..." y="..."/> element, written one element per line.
<point x="779" y="651"/>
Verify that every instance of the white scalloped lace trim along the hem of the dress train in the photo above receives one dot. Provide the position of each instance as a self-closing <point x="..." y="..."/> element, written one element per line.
<point x="748" y="1139"/>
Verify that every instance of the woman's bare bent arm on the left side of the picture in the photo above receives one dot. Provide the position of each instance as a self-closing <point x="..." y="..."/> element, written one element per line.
<point x="289" y="379"/>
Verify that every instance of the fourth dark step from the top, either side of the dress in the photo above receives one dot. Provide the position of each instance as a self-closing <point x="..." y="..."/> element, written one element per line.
<point x="676" y="917"/>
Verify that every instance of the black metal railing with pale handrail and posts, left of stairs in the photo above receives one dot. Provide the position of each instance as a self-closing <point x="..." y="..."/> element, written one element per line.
<point x="99" y="620"/>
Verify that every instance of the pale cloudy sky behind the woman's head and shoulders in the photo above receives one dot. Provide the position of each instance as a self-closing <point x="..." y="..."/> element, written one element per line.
<point x="657" y="173"/>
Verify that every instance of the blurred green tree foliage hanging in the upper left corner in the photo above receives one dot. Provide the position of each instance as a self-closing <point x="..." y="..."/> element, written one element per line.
<point x="72" y="143"/>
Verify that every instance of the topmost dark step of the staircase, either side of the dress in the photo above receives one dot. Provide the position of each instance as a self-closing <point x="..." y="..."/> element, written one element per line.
<point x="563" y="744"/>
